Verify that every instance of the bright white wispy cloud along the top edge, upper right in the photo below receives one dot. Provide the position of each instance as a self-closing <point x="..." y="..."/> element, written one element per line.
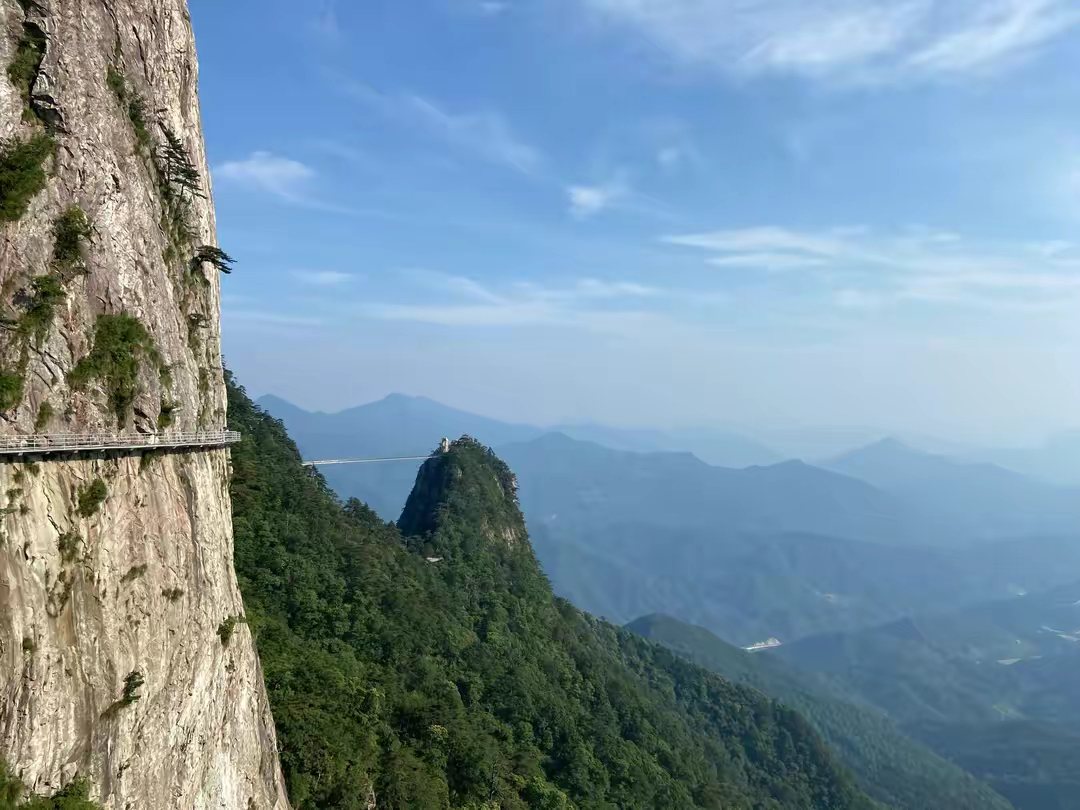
<point x="847" y="40"/>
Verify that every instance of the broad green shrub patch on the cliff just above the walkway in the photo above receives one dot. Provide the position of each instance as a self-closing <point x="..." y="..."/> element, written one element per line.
<point x="121" y="345"/>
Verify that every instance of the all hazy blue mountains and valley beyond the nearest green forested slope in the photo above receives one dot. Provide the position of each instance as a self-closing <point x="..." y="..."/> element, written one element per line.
<point x="926" y="604"/>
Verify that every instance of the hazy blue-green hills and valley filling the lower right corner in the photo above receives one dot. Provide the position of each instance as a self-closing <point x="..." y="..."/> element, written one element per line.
<point x="993" y="687"/>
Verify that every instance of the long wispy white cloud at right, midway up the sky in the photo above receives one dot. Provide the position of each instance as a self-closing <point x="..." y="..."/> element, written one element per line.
<point x="866" y="269"/>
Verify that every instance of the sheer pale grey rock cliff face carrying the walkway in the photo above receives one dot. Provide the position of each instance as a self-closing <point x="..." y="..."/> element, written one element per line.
<point x="141" y="589"/>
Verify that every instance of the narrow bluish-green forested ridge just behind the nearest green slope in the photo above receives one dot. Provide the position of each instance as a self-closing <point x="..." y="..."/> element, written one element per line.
<point x="890" y="767"/>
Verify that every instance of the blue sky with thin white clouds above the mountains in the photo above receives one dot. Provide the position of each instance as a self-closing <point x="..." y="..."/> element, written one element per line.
<point x="655" y="212"/>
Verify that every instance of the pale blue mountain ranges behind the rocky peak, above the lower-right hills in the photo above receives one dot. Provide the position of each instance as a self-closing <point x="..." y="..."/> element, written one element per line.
<point x="787" y="550"/>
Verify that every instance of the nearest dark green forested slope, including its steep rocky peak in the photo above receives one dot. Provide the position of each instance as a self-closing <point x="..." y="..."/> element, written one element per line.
<point x="464" y="683"/>
